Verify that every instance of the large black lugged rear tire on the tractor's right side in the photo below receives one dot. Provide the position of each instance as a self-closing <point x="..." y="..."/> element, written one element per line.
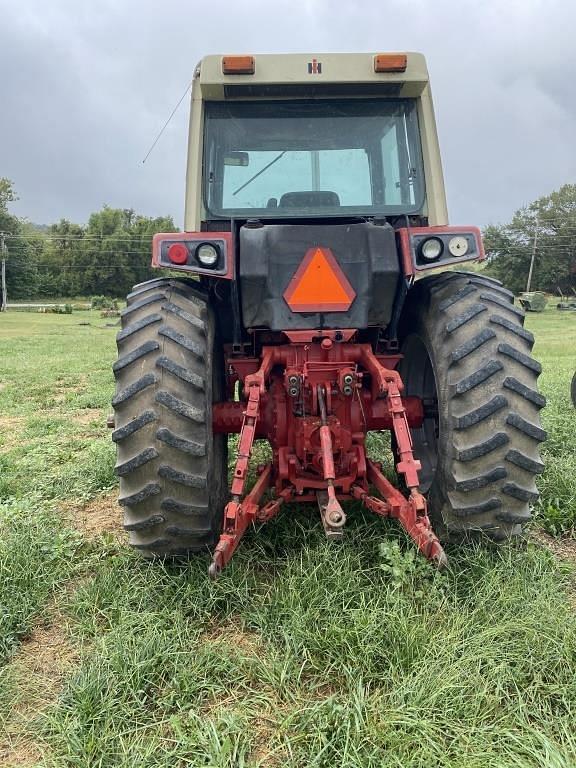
<point x="467" y="354"/>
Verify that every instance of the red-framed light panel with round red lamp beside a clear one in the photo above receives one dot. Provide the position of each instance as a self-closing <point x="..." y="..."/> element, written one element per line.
<point x="206" y="253"/>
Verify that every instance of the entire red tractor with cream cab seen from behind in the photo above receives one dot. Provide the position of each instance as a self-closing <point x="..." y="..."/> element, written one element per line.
<point x="317" y="294"/>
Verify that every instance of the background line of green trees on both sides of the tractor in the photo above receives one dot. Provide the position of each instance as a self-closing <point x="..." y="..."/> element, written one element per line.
<point x="112" y="252"/>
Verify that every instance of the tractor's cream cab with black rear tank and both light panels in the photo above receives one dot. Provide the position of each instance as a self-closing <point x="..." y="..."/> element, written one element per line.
<point x="324" y="169"/>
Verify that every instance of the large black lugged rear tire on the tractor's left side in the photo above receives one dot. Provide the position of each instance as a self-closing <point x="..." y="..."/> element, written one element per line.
<point x="172" y="469"/>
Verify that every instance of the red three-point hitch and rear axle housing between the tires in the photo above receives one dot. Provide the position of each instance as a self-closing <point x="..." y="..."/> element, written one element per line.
<point x="314" y="400"/>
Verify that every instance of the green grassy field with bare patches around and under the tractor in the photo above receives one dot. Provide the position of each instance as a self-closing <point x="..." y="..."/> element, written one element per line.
<point x="303" y="653"/>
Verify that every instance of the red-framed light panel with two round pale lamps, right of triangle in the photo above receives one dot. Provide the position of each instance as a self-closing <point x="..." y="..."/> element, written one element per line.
<point x="431" y="247"/>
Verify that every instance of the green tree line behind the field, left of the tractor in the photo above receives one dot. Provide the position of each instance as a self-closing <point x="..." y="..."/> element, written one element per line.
<point x="107" y="256"/>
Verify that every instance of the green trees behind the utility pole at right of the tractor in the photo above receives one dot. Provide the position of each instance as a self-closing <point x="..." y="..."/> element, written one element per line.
<point x="509" y="247"/>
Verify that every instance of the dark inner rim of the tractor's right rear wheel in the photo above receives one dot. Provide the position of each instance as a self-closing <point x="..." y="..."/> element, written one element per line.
<point x="419" y="381"/>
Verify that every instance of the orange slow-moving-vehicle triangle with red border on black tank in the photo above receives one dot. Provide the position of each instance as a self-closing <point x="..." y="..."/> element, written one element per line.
<point x="319" y="284"/>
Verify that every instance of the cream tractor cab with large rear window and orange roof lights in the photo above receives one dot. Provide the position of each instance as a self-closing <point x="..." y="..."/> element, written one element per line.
<point x="338" y="136"/>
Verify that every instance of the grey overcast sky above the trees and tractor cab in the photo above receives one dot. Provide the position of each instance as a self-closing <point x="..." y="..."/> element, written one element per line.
<point x="85" y="86"/>
